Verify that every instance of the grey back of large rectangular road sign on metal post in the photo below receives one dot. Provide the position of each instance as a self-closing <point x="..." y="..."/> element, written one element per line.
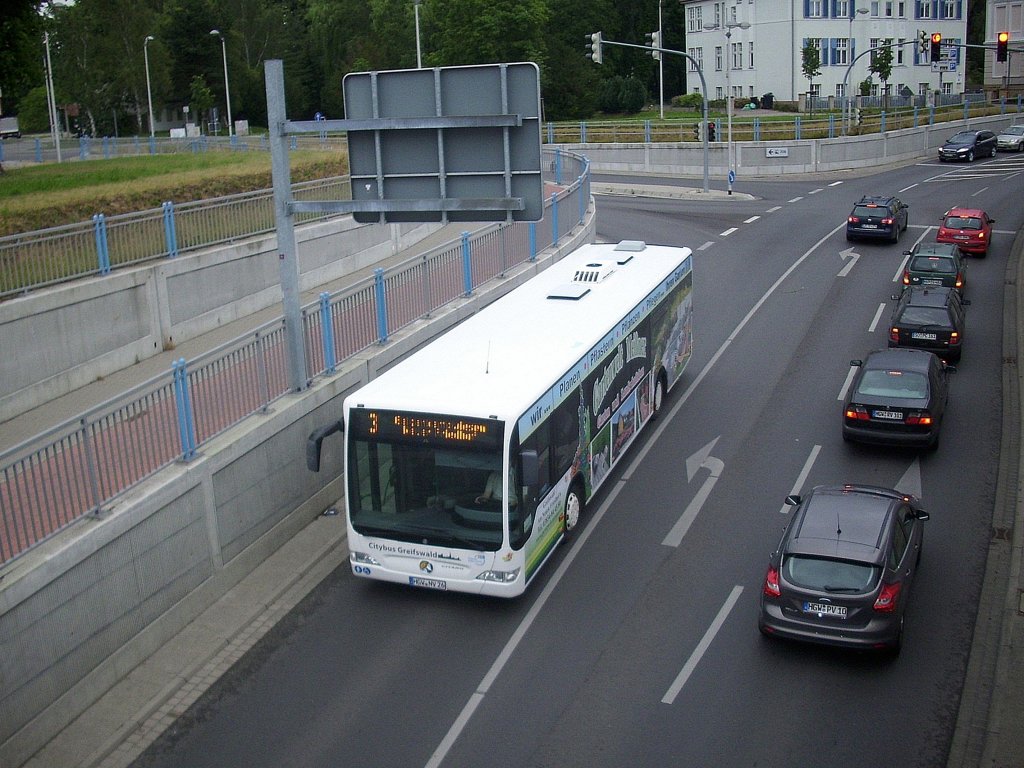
<point x="449" y="144"/>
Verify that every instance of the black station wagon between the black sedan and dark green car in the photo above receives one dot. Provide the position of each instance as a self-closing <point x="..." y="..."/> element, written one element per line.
<point x="929" y="318"/>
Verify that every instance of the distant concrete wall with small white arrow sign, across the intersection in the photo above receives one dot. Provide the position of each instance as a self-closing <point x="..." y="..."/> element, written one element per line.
<point x="805" y="156"/>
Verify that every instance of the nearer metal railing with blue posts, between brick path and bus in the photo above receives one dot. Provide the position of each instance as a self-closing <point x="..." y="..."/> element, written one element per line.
<point x="78" y="467"/>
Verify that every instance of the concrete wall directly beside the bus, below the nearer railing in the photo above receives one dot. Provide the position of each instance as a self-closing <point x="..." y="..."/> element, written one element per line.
<point x="86" y="608"/>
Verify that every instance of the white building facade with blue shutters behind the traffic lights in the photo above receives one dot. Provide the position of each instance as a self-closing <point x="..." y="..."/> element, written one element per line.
<point x="753" y="48"/>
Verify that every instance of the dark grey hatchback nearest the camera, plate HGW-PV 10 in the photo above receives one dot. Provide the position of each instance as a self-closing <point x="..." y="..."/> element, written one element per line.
<point x="842" y="574"/>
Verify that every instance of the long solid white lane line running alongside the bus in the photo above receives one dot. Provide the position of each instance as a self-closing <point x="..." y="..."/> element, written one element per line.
<point x="514" y="644"/>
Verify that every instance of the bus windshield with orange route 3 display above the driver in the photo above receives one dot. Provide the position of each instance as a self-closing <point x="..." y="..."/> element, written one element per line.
<point x="428" y="485"/>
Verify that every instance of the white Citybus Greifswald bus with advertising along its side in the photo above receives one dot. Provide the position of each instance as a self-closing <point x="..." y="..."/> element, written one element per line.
<point x="468" y="462"/>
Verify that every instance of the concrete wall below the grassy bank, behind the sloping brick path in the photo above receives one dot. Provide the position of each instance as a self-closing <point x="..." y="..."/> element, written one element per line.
<point x="63" y="338"/>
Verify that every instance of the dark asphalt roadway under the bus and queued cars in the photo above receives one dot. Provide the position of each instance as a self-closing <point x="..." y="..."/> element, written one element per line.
<point x="638" y="646"/>
